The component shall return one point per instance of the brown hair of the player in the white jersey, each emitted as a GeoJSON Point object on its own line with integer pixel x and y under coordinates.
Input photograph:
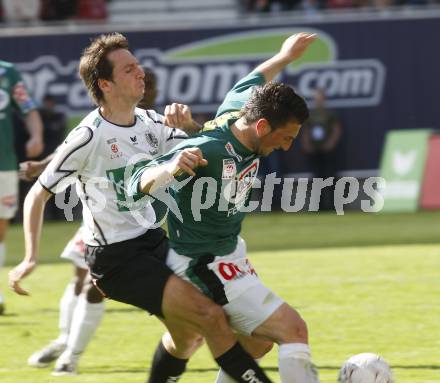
{"type": "Point", "coordinates": [95, 65]}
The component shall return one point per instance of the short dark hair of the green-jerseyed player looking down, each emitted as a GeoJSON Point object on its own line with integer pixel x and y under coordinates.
{"type": "Point", "coordinates": [277, 103]}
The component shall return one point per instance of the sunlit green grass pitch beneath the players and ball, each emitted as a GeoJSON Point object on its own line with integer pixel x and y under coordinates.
{"type": "Point", "coordinates": [364, 283]}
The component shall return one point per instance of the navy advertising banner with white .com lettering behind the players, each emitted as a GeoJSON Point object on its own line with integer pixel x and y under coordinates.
{"type": "Point", "coordinates": [372, 82]}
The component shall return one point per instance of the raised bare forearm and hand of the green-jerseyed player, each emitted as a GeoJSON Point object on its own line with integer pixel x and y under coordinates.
{"type": "Point", "coordinates": [292, 48]}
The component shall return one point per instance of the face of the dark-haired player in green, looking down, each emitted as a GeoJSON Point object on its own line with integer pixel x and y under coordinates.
{"type": "Point", "coordinates": [281, 138]}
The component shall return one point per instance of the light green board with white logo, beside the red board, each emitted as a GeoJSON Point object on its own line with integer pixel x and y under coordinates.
{"type": "Point", "coordinates": [402, 167]}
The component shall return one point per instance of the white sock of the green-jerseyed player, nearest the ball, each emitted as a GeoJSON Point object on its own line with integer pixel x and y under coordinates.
{"type": "Point", "coordinates": [294, 363]}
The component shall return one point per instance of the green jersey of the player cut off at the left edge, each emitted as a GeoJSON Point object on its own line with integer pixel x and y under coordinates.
{"type": "Point", "coordinates": [13, 96]}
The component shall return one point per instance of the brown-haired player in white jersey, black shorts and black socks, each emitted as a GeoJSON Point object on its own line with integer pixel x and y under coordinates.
{"type": "Point", "coordinates": [126, 258]}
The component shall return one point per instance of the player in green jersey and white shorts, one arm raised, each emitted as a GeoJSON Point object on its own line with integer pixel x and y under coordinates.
{"type": "Point", "coordinates": [216, 171]}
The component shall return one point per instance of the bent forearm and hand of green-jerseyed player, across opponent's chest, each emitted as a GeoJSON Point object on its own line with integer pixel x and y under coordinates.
{"type": "Point", "coordinates": [155, 177]}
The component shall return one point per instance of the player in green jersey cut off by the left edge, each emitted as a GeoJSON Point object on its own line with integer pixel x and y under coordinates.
{"type": "Point", "coordinates": [14, 97]}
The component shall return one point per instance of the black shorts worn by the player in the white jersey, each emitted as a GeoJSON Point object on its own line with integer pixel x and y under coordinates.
{"type": "Point", "coordinates": [132, 271]}
